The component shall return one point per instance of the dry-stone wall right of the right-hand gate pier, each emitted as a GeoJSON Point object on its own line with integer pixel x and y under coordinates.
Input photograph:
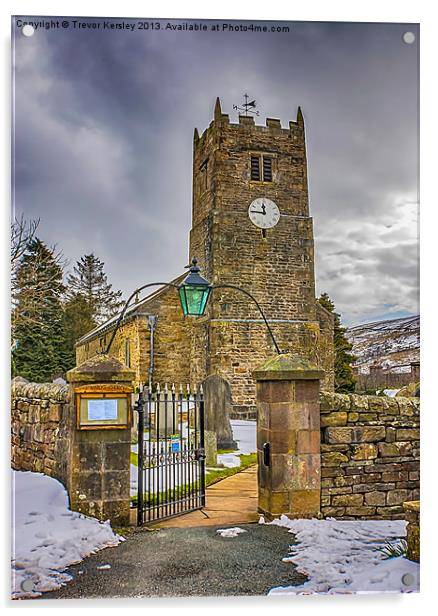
{"type": "Point", "coordinates": [370, 455]}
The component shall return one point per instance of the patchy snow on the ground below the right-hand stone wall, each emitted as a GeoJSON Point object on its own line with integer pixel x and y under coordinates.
{"type": "Point", "coordinates": [340, 556]}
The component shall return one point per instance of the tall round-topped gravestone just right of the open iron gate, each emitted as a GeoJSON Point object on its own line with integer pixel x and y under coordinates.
{"type": "Point", "coordinates": [218, 404]}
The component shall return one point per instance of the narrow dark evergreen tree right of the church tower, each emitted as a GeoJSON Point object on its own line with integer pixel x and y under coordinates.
{"type": "Point", "coordinates": [344, 378]}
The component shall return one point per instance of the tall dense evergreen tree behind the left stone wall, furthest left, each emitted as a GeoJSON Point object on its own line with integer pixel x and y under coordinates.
{"type": "Point", "coordinates": [39, 351]}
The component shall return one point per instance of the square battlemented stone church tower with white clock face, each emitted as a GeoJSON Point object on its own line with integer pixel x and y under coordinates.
{"type": "Point", "coordinates": [233, 166]}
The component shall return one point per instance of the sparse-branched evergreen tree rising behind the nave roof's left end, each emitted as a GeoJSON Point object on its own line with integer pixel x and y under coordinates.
{"type": "Point", "coordinates": [89, 281]}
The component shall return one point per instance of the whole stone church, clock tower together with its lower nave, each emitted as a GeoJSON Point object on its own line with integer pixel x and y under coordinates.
{"type": "Point", "coordinates": [251, 227]}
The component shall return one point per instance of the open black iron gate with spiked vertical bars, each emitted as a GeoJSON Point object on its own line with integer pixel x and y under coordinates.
{"type": "Point", "coordinates": [171, 454]}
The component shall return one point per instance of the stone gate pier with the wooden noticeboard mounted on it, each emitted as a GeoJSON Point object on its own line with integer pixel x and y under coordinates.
{"type": "Point", "coordinates": [99, 477]}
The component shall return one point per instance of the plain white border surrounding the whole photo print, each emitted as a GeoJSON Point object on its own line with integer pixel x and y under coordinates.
{"type": "Point", "coordinates": [323, 10]}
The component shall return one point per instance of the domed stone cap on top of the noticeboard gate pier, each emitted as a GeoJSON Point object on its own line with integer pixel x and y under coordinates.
{"type": "Point", "coordinates": [100, 369]}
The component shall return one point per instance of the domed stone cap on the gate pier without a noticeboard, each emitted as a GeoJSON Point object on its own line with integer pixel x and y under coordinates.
{"type": "Point", "coordinates": [288, 367]}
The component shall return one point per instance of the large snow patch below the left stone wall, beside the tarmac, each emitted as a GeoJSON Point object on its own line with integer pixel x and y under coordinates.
{"type": "Point", "coordinates": [47, 537]}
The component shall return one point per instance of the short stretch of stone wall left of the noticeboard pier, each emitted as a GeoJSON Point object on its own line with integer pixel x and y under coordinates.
{"type": "Point", "coordinates": [39, 414]}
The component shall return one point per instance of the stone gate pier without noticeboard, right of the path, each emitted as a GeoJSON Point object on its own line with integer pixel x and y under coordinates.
{"type": "Point", "coordinates": [288, 436]}
